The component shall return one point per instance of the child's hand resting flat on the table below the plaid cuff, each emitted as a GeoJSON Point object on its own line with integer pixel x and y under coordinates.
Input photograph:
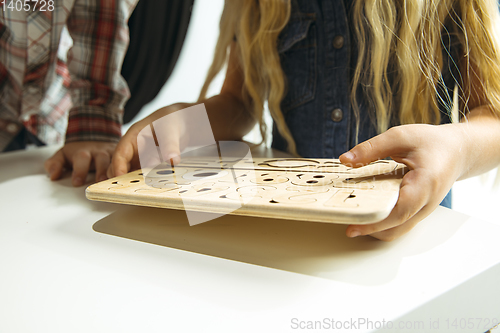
{"type": "Point", "coordinates": [82, 157]}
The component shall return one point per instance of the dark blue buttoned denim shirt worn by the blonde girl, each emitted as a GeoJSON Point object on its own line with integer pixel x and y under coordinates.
{"type": "Point", "coordinates": [317, 57]}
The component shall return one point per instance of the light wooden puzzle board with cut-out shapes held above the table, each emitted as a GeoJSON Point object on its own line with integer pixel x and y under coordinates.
{"type": "Point", "coordinates": [320, 190]}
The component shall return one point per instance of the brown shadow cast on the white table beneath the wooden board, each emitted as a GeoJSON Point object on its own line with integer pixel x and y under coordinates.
{"type": "Point", "coordinates": [315, 249]}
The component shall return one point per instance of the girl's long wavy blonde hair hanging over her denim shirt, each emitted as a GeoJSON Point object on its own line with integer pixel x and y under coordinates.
{"type": "Point", "coordinates": [400, 56]}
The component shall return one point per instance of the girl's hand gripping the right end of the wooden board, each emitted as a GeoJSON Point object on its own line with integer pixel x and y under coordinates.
{"type": "Point", "coordinates": [432, 153]}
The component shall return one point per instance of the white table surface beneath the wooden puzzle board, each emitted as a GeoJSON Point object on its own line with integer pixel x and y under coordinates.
{"type": "Point", "coordinates": [230, 275]}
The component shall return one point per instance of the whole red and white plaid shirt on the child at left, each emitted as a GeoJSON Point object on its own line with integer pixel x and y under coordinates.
{"type": "Point", "coordinates": [60, 61]}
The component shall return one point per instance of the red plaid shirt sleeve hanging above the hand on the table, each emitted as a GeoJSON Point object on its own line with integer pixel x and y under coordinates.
{"type": "Point", "coordinates": [100, 38]}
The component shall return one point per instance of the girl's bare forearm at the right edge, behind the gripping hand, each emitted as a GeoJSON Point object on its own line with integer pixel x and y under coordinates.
{"type": "Point", "coordinates": [480, 142]}
